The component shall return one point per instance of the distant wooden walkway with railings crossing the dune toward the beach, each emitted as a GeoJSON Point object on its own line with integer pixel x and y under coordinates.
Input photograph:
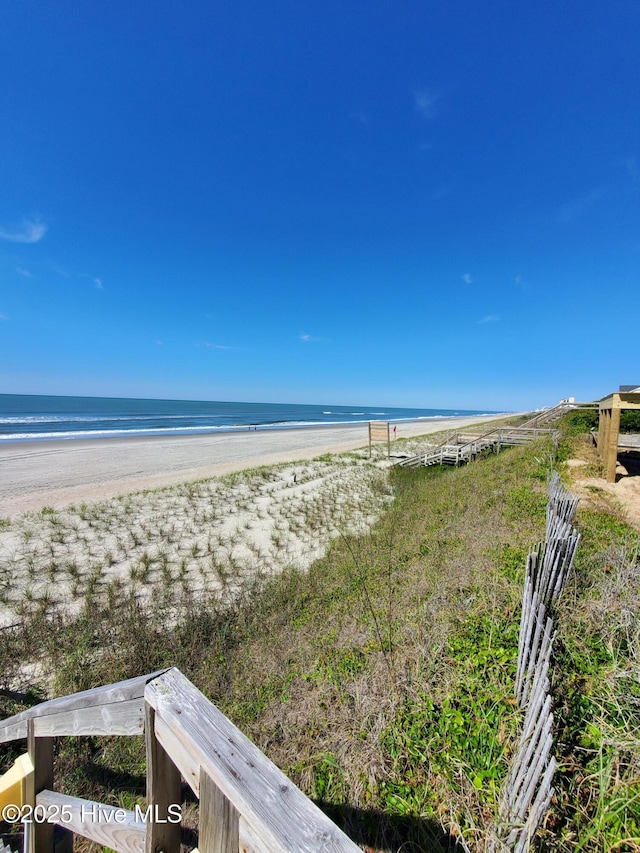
{"type": "Point", "coordinates": [464, 447]}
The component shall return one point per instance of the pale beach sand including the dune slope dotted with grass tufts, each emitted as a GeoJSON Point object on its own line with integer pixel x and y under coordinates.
{"type": "Point", "coordinates": [84, 522]}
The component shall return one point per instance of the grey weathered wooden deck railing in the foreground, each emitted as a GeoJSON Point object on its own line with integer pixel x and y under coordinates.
{"type": "Point", "coordinates": [246, 803]}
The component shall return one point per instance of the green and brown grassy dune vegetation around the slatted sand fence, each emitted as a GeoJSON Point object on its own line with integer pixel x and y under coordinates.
{"type": "Point", "coordinates": [381, 679]}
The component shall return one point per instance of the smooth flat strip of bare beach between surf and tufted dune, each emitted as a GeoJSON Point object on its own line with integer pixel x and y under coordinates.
{"type": "Point", "coordinates": [58, 472]}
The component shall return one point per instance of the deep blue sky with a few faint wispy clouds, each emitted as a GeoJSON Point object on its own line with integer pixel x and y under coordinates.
{"type": "Point", "coordinates": [416, 203]}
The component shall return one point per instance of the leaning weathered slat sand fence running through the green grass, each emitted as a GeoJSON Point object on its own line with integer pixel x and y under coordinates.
{"type": "Point", "coordinates": [527, 792]}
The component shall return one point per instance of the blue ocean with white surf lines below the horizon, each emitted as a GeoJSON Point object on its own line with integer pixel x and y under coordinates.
{"type": "Point", "coordinates": [35, 417]}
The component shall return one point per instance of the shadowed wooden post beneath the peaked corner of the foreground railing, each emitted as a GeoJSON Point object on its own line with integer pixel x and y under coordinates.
{"type": "Point", "coordinates": [163, 790]}
